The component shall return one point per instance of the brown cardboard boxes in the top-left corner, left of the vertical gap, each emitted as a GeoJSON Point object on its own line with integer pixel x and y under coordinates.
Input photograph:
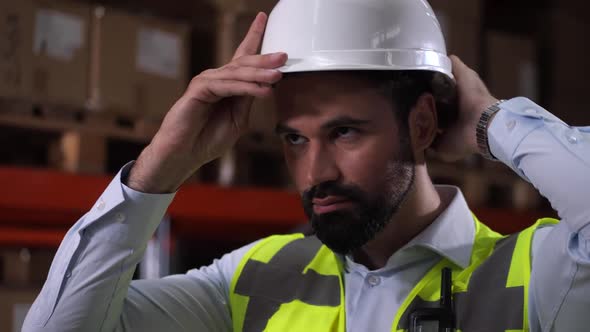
{"type": "Point", "coordinates": [45, 52]}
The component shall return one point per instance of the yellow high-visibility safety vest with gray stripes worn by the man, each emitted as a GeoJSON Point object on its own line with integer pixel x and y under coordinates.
{"type": "Point", "coordinates": [294, 283]}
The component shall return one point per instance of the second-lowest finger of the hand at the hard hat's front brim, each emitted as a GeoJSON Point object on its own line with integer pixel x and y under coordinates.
{"type": "Point", "coordinates": [246, 74]}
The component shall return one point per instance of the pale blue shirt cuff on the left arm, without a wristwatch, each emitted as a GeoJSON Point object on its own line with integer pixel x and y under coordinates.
{"type": "Point", "coordinates": [124, 216]}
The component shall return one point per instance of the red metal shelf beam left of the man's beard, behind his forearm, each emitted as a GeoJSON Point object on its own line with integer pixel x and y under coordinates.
{"type": "Point", "coordinates": [46, 197]}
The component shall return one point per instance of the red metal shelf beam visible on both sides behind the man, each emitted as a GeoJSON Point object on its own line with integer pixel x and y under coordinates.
{"type": "Point", "coordinates": [38, 206]}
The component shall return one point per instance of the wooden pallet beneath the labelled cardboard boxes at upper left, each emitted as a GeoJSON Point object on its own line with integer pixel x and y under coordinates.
{"type": "Point", "coordinates": [79, 138]}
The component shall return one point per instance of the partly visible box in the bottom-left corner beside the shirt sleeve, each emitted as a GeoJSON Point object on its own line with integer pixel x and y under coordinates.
{"type": "Point", "coordinates": [14, 305]}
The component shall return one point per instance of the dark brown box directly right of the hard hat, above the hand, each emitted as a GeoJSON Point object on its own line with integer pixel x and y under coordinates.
{"type": "Point", "coordinates": [460, 22]}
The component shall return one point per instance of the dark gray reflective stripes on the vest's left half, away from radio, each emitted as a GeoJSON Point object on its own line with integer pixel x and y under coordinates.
{"type": "Point", "coordinates": [281, 280]}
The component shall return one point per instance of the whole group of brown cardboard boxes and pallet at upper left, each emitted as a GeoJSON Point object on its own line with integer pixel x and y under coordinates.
{"type": "Point", "coordinates": [87, 63]}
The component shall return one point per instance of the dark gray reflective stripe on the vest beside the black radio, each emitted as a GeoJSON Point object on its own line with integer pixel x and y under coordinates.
{"type": "Point", "coordinates": [488, 305]}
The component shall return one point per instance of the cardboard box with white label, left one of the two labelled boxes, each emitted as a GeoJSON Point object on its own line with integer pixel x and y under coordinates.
{"type": "Point", "coordinates": [60, 53]}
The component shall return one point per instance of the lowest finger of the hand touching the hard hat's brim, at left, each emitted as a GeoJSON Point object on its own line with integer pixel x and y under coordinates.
{"type": "Point", "coordinates": [215, 90]}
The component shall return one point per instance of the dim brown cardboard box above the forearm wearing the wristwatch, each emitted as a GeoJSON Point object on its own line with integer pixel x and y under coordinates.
{"type": "Point", "coordinates": [512, 66]}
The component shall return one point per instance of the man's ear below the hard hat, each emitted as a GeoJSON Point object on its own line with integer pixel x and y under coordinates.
{"type": "Point", "coordinates": [423, 123]}
